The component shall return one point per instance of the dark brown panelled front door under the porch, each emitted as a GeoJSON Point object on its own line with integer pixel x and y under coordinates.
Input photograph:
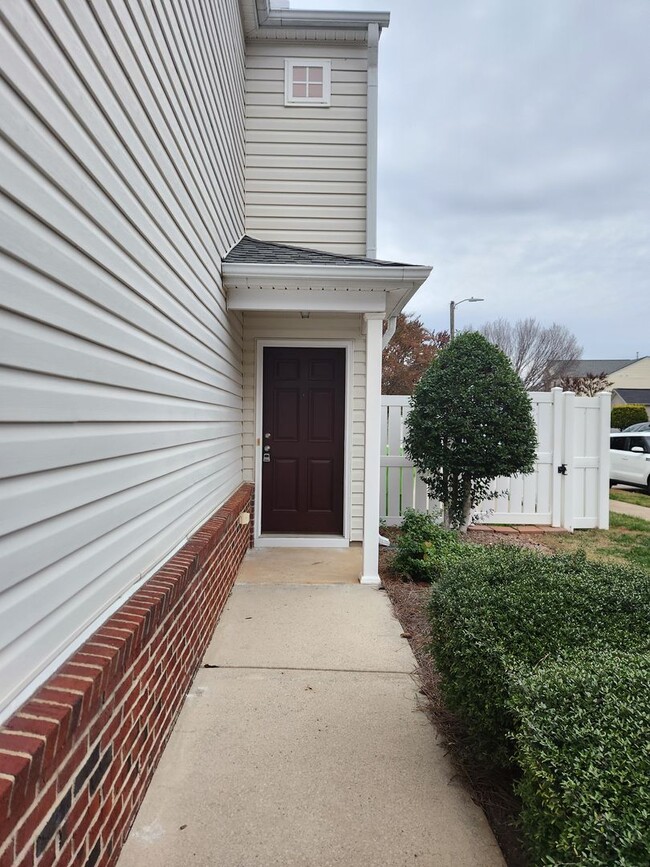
{"type": "Point", "coordinates": [303, 423]}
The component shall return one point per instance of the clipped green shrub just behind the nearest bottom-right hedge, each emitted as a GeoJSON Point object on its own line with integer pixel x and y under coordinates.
{"type": "Point", "coordinates": [498, 612]}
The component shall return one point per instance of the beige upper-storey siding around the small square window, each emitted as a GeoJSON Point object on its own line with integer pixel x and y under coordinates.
{"type": "Point", "coordinates": [306, 165]}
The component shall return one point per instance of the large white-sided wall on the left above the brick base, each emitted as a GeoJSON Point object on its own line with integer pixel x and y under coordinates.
{"type": "Point", "coordinates": [120, 417]}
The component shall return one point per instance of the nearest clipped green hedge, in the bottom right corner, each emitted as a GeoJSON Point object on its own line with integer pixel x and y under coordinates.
{"type": "Point", "coordinates": [583, 744]}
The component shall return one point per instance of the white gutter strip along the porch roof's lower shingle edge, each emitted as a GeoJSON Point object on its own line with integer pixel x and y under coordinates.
{"type": "Point", "coordinates": [387, 278]}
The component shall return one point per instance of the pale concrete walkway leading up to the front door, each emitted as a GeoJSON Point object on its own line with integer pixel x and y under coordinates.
{"type": "Point", "coordinates": [302, 744]}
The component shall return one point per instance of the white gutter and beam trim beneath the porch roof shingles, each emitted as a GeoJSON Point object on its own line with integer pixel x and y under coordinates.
{"type": "Point", "coordinates": [312, 288]}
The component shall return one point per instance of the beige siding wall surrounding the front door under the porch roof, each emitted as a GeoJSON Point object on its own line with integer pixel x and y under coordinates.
{"type": "Point", "coordinates": [292, 327]}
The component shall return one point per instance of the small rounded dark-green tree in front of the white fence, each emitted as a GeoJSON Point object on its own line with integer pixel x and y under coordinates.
{"type": "Point", "coordinates": [470, 421]}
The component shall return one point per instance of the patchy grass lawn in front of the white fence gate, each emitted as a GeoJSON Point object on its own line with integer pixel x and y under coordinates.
{"type": "Point", "coordinates": [627, 541]}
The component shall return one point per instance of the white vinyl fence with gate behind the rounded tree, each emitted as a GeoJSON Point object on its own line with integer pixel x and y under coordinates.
{"type": "Point", "coordinates": [568, 488]}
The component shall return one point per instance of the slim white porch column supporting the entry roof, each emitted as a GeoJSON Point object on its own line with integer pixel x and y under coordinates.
{"type": "Point", "coordinates": [370, 569]}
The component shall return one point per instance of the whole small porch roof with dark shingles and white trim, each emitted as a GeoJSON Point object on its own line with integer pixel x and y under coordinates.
{"type": "Point", "coordinates": [263, 275]}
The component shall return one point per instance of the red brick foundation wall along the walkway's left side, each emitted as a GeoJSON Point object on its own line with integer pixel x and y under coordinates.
{"type": "Point", "coordinates": [76, 759]}
